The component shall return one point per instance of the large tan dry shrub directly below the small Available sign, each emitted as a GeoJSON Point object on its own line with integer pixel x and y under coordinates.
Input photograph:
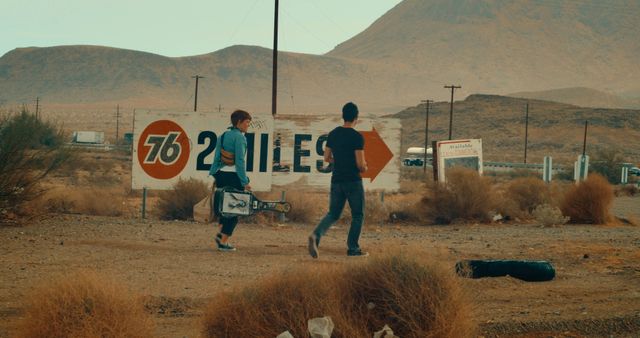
{"type": "Point", "coordinates": [465, 196]}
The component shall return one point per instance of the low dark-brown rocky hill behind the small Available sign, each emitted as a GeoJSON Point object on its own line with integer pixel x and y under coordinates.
{"type": "Point", "coordinates": [555, 129]}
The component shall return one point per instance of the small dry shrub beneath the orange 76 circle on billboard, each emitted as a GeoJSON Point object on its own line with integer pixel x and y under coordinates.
{"type": "Point", "coordinates": [178, 202]}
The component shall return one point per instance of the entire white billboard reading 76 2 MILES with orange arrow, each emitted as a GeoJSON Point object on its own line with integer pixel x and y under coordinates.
{"type": "Point", "coordinates": [286, 152]}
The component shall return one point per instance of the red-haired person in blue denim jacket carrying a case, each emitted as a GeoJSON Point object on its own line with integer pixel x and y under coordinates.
{"type": "Point", "coordinates": [229, 170]}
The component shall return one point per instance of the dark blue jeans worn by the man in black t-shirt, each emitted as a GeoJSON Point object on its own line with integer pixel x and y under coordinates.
{"type": "Point", "coordinates": [353, 192]}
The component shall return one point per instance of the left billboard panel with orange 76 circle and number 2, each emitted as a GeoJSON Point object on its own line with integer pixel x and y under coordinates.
{"type": "Point", "coordinates": [170, 146]}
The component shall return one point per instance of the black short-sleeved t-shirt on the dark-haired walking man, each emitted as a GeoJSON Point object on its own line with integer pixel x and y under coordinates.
{"type": "Point", "coordinates": [343, 143]}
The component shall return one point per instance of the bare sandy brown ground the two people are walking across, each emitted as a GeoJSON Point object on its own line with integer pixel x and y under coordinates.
{"type": "Point", "coordinates": [596, 291]}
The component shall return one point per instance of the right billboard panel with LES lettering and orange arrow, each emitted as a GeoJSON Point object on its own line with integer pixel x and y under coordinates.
{"type": "Point", "coordinates": [299, 151]}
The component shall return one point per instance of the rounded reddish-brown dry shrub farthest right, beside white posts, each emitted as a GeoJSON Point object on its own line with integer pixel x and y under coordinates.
{"type": "Point", "coordinates": [589, 201]}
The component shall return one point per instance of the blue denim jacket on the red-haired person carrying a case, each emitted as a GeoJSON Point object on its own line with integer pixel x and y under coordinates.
{"type": "Point", "coordinates": [235, 142]}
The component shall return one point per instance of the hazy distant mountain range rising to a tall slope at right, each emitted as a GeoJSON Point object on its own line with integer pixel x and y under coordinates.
{"type": "Point", "coordinates": [408, 54]}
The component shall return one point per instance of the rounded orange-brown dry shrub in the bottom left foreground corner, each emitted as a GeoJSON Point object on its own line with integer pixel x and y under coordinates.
{"type": "Point", "coordinates": [84, 304]}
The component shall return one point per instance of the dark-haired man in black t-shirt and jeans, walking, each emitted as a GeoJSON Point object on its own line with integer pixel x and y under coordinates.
{"type": "Point", "coordinates": [345, 151]}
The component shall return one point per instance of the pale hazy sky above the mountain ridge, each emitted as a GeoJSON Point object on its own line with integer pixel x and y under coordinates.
{"type": "Point", "coordinates": [186, 27]}
